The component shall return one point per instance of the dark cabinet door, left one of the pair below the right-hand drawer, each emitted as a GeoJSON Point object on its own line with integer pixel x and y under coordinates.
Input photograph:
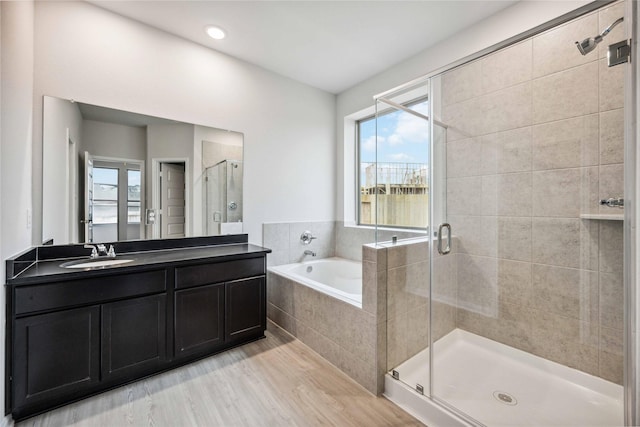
{"type": "Point", "coordinates": [199, 320]}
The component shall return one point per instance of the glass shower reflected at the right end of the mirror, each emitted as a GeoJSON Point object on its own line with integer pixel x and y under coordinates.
{"type": "Point", "coordinates": [223, 203]}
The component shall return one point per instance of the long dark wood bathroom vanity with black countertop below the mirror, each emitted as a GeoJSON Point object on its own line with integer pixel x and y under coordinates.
{"type": "Point", "coordinates": [75, 332]}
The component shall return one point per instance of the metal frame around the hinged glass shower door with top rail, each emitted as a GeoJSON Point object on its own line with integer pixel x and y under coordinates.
{"type": "Point", "coordinates": [631, 379]}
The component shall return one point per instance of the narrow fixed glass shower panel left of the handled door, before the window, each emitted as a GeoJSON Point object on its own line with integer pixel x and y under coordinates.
{"type": "Point", "coordinates": [397, 185]}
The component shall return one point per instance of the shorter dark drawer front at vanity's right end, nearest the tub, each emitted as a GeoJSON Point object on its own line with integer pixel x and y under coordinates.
{"type": "Point", "coordinates": [204, 274]}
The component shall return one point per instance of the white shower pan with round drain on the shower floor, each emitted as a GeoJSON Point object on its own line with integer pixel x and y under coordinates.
{"type": "Point", "coordinates": [498, 385]}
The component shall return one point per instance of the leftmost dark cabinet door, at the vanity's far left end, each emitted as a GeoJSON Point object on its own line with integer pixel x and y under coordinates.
{"type": "Point", "coordinates": [56, 356]}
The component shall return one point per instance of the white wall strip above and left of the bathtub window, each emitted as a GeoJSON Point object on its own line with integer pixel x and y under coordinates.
{"type": "Point", "coordinates": [509, 22]}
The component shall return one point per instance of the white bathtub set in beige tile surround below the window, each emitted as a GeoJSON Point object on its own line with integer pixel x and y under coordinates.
{"type": "Point", "coordinates": [338, 277]}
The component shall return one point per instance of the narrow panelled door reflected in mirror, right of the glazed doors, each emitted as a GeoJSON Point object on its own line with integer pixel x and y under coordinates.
{"type": "Point", "coordinates": [172, 200]}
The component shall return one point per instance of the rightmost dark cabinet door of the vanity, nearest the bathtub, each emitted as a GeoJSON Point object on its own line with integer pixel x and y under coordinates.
{"type": "Point", "coordinates": [246, 314]}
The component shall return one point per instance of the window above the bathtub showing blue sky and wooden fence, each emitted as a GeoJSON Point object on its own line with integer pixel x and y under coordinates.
{"type": "Point", "coordinates": [393, 188]}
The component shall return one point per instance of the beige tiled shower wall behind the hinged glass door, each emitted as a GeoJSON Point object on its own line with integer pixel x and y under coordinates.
{"type": "Point", "coordinates": [535, 139]}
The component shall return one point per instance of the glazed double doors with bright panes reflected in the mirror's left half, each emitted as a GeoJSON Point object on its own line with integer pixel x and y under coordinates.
{"type": "Point", "coordinates": [113, 202]}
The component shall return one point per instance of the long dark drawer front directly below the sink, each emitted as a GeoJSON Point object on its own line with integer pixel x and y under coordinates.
{"type": "Point", "coordinates": [88, 291]}
